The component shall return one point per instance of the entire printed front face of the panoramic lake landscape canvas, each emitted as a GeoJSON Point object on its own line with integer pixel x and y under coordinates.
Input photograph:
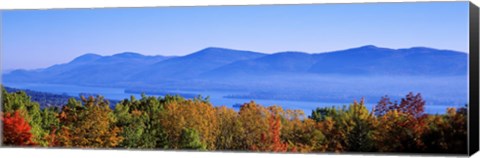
{"type": "Point", "coordinates": [319, 78]}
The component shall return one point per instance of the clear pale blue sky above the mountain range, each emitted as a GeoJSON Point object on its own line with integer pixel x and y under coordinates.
{"type": "Point", "coordinates": [40, 38]}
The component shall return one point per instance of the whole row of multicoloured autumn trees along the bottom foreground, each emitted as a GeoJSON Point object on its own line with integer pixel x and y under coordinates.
{"type": "Point", "coordinates": [176, 123]}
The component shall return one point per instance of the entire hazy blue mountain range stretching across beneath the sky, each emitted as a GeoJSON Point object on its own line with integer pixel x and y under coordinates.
{"type": "Point", "coordinates": [214, 63]}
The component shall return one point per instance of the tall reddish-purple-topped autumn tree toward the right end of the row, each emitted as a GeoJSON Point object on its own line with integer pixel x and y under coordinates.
{"type": "Point", "coordinates": [404, 123]}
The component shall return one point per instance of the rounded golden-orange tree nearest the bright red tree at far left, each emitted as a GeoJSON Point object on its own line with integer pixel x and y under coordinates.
{"type": "Point", "coordinates": [88, 125]}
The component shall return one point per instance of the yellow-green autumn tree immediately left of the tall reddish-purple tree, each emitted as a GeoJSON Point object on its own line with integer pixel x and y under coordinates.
{"type": "Point", "coordinates": [347, 129]}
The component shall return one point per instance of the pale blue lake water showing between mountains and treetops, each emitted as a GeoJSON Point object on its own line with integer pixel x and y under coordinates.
{"type": "Point", "coordinates": [216, 97]}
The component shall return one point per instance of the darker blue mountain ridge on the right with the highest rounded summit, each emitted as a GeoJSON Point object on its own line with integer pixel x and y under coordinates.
{"type": "Point", "coordinates": [366, 60]}
